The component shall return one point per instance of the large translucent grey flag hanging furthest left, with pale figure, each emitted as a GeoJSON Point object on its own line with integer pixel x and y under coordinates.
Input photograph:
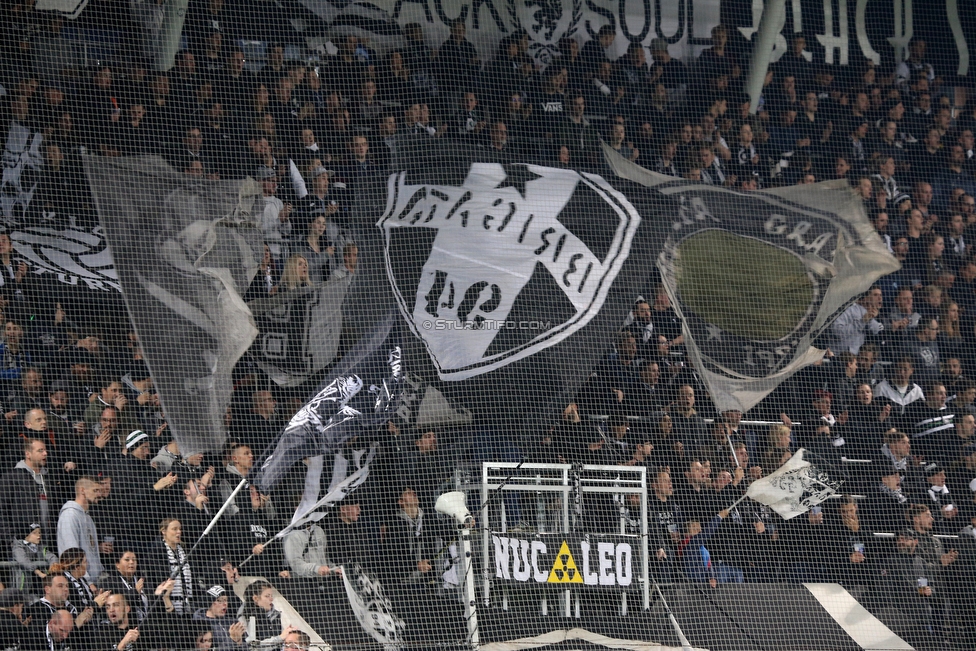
{"type": "Point", "coordinates": [185, 250]}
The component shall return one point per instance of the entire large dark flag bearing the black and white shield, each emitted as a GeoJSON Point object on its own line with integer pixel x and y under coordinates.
{"type": "Point", "coordinates": [512, 277]}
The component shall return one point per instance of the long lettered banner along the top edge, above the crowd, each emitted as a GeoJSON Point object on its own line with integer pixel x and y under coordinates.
{"type": "Point", "coordinates": [838, 32]}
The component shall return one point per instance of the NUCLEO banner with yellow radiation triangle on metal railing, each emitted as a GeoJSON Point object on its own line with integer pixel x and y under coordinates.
{"type": "Point", "coordinates": [565, 561]}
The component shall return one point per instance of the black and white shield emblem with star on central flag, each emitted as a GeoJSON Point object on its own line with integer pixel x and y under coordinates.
{"type": "Point", "coordinates": [512, 261]}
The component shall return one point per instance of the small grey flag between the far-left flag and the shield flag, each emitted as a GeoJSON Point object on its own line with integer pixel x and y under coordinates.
{"type": "Point", "coordinates": [299, 330]}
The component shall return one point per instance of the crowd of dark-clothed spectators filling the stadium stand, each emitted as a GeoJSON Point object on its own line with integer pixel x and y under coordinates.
{"type": "Point", "coordinates": [99, 506]}
